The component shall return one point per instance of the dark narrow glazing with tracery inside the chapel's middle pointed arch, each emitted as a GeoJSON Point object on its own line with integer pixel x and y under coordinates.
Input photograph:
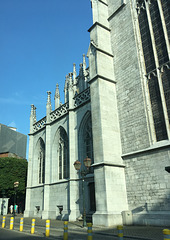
{"type": "Point", "coordinates": [63, 157]}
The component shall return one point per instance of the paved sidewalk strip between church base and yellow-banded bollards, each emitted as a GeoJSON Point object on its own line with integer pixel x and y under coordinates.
{"type": "Point", "coordinates": [130, 232]}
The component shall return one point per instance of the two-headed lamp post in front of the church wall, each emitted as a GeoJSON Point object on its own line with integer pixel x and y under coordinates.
{"type": "Point", "coordinates": [77, 165]}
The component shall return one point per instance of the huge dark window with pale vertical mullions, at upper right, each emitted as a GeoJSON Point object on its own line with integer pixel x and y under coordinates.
{"type": "Point", "coordinates": [154, 24]}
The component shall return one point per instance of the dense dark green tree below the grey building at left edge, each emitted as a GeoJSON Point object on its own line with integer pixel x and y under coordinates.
{"type": "Point", "coordinates": [13, 170]}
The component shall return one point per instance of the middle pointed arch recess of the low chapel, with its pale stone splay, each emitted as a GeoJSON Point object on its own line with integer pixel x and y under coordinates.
{"type": "Point", "coordinates": [60, 155]}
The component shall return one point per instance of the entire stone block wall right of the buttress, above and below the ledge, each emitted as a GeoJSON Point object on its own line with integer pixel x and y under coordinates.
{"type": "Point", "coordinates": [148, 190]}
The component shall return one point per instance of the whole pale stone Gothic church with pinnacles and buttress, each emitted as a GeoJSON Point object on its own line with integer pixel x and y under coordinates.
{"type": "Point", "coordinates": [117, 113]}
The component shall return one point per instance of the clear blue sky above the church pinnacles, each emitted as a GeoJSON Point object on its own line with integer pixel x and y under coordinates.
{"type": "Point", "coordinates": [39, 42]}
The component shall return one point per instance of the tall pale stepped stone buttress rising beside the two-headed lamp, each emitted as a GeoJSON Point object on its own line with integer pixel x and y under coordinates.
{"type": "Point", "coordinates": [110, 187]}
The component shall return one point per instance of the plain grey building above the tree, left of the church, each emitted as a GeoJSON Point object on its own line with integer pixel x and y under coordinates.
{"type": "Point", "coordinates": [12, 143]}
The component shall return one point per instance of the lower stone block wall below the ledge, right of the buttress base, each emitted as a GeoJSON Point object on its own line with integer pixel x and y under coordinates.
{"type": "Point", "coordinates": [148, 187]}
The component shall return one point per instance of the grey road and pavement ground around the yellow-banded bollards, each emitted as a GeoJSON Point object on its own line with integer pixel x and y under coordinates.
{"type": "Point", "coordinates": [75, 231]}
